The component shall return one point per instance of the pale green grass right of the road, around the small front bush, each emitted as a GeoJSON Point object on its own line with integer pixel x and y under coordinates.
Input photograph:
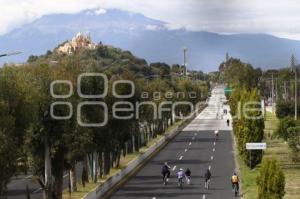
{"type": "Point", "coordinates": [278, 149]}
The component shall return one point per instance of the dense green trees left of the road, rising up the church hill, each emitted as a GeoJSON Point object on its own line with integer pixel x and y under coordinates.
{"type": "Point", "coordinates": [32, 140]}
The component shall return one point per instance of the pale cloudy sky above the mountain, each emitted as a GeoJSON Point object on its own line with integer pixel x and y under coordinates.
{"type": "Point", "coordinates": [277, 17]}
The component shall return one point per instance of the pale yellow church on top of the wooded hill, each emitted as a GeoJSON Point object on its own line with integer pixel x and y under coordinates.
{"type": "Point", "coordinates": [78, 42]}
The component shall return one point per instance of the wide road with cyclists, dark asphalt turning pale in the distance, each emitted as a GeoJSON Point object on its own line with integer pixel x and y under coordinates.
{"type": "Point", "coordinates": [193, 148]}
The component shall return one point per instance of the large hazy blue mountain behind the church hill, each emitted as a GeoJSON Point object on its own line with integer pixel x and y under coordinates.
{"type": "Point", "coordinates": [147, 38]}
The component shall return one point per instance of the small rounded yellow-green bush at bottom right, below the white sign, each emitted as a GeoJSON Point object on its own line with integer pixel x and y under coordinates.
{"type": "Point", "coordinates": [271, 180]}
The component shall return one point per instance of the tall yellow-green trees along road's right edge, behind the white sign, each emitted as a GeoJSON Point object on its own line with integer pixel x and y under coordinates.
{"type": "Point", "coordinates": [248, 122]}
